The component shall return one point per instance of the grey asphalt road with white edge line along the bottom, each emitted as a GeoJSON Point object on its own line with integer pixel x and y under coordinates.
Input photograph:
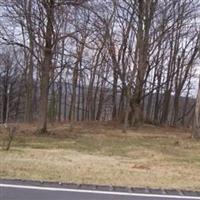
{"type": "Point", "coordinates": [18, 191]}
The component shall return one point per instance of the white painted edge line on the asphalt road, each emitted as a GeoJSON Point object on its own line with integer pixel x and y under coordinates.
{"type": "Point", "coordinates": [96, 192]}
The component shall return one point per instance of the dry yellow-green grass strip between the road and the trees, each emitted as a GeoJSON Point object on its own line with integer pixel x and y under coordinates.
{"type": "Point", "coordinates": [102, 154]}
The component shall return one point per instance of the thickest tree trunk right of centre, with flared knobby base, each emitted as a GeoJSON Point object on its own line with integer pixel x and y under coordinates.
{"type": "Point", "coordinates": [146, 9]}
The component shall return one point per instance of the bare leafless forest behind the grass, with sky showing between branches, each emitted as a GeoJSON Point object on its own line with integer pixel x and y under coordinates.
{"type": "Point", "coordinates": [128, 61]}
